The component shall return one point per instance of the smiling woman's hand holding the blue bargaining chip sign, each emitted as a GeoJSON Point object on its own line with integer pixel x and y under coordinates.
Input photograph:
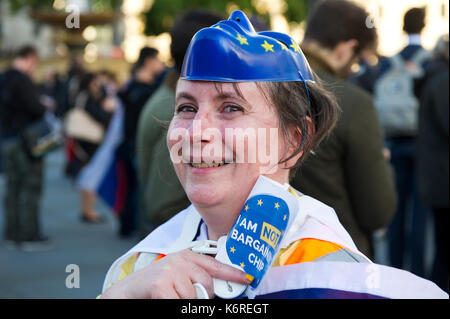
{"type": "Point", "coordinates": [173, 277]}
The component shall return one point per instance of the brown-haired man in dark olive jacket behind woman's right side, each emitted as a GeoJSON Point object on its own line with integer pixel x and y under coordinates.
{"type": "Point", "coordinates": [348, 170]}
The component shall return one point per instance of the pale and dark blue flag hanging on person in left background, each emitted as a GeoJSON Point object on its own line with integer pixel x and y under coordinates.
{"type": "Point", "coordinates": [105, 174]}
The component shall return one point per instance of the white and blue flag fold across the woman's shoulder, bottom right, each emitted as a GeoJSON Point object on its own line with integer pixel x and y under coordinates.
{"type": "Point", "coordinates": [345, 280]}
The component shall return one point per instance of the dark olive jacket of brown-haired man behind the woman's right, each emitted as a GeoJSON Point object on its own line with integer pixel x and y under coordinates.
{"type": "Point", "coordinates": [348, 171]}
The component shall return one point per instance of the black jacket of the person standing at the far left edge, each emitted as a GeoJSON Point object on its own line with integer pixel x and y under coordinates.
{"type": "Point", "coordinates": [20, 104]}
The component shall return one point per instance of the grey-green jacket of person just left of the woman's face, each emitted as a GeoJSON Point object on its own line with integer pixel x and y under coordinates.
{"type": "Point", "coordinates": [162, 195]}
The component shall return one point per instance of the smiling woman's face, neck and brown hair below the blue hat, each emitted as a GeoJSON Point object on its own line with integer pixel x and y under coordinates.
{"type": "Point", "coordinates": [239, 114]}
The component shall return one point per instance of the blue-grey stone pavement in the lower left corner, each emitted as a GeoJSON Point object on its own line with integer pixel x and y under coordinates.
{"type": "Point", "coordinates": [92, 247]}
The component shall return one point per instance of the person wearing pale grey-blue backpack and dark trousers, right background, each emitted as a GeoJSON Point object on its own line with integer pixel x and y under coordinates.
{"type": "Point", "coordinates": [396, 94]}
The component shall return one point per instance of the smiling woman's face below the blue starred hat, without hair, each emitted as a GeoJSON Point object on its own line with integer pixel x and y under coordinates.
{"type": "Point", "coordinates": [221, 142]}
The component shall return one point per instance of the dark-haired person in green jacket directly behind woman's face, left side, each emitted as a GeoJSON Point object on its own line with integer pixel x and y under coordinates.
{"type": "Point", "coordinates": [161, 194]}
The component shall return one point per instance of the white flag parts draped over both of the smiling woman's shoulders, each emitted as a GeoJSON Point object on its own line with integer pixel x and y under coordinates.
{"type": "Point", "coordinates": [332, 278]}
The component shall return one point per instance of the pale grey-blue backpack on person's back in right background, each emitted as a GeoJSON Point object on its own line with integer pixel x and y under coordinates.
{"type": "Point", "coordinates": [394, 97]}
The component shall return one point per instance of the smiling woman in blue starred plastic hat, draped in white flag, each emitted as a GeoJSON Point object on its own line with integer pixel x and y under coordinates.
{"type": "Point", "coordinates": [241, 93]}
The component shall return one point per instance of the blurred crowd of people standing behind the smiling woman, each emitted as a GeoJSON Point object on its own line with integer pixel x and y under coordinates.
{"type": "Point", "coordinates": [384, 168]}
